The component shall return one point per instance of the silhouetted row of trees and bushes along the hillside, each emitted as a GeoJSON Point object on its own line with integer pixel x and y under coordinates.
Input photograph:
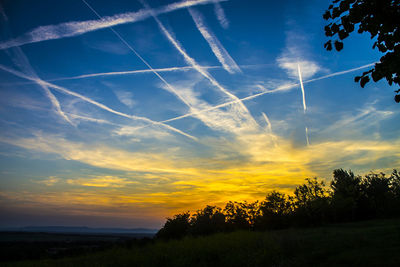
{"type": "Point", "coordinates": [348, 198]}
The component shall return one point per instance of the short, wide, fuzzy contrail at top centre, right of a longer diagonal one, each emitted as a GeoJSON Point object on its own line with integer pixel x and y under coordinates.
{"type": "Point", "coordinates": [219, 51]}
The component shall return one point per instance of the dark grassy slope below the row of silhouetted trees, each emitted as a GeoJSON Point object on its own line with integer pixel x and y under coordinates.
{"type": "Point", "coordinates": [371, 243]}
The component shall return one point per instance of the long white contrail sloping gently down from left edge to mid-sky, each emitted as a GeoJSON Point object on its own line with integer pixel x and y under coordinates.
{"type": "Point", "coordinates": [93, 102]}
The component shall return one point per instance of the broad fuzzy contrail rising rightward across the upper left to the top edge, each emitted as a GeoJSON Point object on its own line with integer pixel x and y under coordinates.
{"type": "Point", "coordinates": [75, 28]}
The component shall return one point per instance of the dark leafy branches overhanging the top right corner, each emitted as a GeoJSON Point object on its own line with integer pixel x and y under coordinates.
{"type": "Point", "coordinates": [378, 17]}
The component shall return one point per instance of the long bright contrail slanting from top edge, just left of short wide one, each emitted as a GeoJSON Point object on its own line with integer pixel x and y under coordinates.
{"type": "Point", "coordinates": [196, 66]}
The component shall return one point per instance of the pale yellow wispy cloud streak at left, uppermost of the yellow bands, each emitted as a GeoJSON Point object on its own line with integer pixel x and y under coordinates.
{"type": "Point", "coordinates": [102, 156]}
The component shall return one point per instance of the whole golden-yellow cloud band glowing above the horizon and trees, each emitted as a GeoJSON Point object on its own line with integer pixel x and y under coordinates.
{"type": "Point", "coordinates": [169, 181]}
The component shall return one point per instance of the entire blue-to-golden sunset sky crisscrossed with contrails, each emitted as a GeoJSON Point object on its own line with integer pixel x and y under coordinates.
{"type": "Point", "coordinates": [122, 114]}
